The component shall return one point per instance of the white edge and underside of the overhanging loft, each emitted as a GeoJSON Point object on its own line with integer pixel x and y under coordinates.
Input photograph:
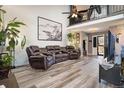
{"type": "Point", "coordinates": [97, 26]}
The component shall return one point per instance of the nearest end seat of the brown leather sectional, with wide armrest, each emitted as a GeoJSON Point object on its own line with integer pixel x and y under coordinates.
{"type": "Point", "coordinates": [38, 60]}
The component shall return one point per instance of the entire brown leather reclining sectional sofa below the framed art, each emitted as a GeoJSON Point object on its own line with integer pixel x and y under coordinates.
{"type": "Point", "coordinates": [43, 58]}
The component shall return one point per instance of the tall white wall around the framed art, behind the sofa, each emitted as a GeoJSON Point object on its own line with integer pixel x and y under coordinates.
{"type": "Point", "coordinates": [29, 14]}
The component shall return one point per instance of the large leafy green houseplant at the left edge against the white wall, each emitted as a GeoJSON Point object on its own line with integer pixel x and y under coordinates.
{"type": "Point", "coordinates": [9, 37]}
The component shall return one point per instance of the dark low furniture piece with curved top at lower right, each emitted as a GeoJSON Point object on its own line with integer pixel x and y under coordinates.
{"type": "Point", "coordinates": [112, 75]}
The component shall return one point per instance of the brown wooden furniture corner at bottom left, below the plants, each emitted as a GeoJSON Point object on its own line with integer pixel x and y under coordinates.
{"type": "Point", "coordinates": [9, 82]}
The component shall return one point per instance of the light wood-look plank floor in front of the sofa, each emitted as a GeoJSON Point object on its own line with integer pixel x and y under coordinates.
{"type": "Point", "coordinates": [81, 73]}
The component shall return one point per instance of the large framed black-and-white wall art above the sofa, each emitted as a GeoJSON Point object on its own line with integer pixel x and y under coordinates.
{"type": "Point", "coordinates": [49, 30]}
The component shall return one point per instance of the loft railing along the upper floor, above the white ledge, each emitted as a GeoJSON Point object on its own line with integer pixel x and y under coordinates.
{"type": "Point", "coordinates": [106, 11]}
